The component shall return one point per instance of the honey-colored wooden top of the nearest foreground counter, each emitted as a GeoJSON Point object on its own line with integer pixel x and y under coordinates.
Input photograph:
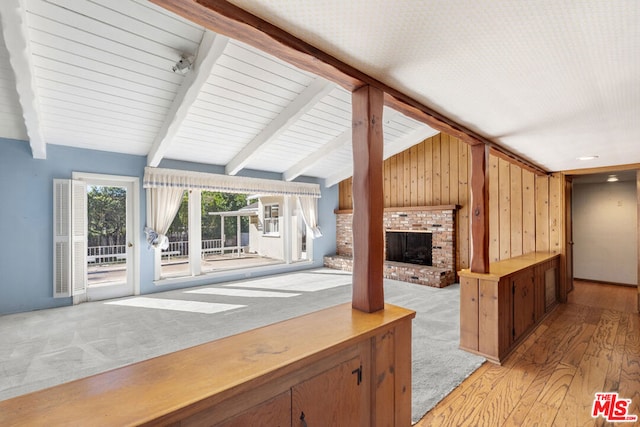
{"type": "Point", "coordinates": [152, 389]}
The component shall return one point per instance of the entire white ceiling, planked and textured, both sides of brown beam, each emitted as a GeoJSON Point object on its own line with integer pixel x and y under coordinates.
{"type": "Point", "coordinates": [551, 80]}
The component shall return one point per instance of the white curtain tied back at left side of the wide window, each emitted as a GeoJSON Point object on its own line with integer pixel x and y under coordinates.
{"type": "Point", "coordinates": [164, 203]}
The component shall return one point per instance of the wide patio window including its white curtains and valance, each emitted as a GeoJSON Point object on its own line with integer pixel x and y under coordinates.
{"type": "Point", "coordinates": [254, 223]}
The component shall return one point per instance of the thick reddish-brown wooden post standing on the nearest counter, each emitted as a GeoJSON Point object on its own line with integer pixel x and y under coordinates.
{"type": "Point", "coordinates": [368, 200]}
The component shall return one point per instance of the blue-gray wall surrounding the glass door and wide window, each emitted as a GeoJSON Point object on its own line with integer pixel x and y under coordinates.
{"type": "Point", "coordinates": [26, 224]}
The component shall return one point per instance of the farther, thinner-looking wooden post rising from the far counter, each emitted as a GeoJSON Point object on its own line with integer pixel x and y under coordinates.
{"type": "Point", "coordinates": [479, 209]}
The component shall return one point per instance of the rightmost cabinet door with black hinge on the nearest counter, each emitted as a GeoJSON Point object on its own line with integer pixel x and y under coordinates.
{"type": "Point", "coordinates": [332, 398]}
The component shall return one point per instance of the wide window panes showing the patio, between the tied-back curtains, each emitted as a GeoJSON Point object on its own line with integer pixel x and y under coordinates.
{"type": "Point", "coordinates": [214, 232]}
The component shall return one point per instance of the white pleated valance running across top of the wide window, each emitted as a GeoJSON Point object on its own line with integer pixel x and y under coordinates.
{"type": "Point", "coordinates": [188, 180]}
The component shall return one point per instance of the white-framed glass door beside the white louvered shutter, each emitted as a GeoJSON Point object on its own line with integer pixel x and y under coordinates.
{"type": "Point", "coordinates": [112, 234]}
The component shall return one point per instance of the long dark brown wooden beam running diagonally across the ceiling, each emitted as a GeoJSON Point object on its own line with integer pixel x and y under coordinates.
{"type": "Point", "coordinates": [232, 21]}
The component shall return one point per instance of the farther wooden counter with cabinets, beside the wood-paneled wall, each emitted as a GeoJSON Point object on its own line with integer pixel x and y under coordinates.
{"type": "Point", "coordinates": [498, 309]}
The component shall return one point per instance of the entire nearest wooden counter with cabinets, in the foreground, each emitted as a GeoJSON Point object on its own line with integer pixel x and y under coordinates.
{"type": "Point", "coordinates": [321, 364]}
